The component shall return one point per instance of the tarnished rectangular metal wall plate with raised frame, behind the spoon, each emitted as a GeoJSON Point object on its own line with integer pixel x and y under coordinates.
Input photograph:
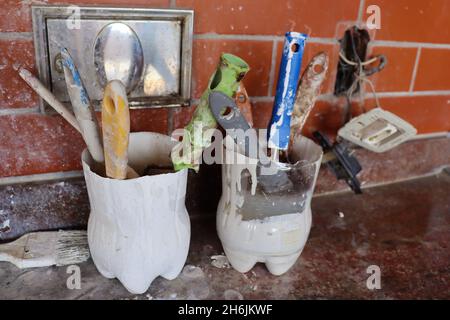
{"type": "Point", "coordinates": [162, 58]}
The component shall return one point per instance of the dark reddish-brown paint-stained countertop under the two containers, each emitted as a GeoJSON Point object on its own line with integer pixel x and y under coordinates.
{"type": "Point", "coordinates": [402, 228]}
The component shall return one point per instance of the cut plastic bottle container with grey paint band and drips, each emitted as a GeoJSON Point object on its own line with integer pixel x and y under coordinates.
{"type": "Point", "coordinates": [254, 226]}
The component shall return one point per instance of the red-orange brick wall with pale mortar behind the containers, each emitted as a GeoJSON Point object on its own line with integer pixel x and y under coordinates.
{"type": "Point", "coordinates": [414, 35]}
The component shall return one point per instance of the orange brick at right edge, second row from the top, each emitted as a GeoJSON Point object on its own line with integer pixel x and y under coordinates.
{"type": "Point", "coordinates": [433, 71]}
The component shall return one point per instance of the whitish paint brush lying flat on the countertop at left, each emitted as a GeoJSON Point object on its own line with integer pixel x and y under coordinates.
{"type": "Point", "coordinates": [43, 249]}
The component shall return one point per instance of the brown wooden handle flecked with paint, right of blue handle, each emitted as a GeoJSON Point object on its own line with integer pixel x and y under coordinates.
{"type": "Point", "coordinates": [307, 93]}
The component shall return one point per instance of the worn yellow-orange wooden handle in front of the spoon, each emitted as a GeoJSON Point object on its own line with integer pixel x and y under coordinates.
{"type": "Point", "coordinates": [116, 129]}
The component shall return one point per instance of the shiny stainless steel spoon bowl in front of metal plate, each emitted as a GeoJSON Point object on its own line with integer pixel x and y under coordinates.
{"type": "Point", "coordinates": [118, 55]}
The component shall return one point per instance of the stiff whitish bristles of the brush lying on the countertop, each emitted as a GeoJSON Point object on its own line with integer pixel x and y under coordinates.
{"type": "Point", "coordinates": [71, 247]}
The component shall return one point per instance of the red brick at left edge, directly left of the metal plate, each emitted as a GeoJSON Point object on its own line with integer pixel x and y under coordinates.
{"type": "Point", "coordinates": [14, 92]}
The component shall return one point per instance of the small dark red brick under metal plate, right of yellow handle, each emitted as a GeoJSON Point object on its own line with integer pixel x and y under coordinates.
{"type": "Point", "coordinates": [153, 120]}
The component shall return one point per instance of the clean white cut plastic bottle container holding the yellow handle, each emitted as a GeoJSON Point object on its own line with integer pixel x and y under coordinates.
{"type": "Point", "coordinates": [139, 229]}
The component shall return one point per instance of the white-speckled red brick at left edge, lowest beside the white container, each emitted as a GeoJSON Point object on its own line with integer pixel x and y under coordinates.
{"type": "Point", "coordinates": [35, 143]}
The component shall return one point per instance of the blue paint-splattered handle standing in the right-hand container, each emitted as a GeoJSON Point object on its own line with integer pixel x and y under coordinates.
{"type": "Point", "coordinates": [291, 62]}
